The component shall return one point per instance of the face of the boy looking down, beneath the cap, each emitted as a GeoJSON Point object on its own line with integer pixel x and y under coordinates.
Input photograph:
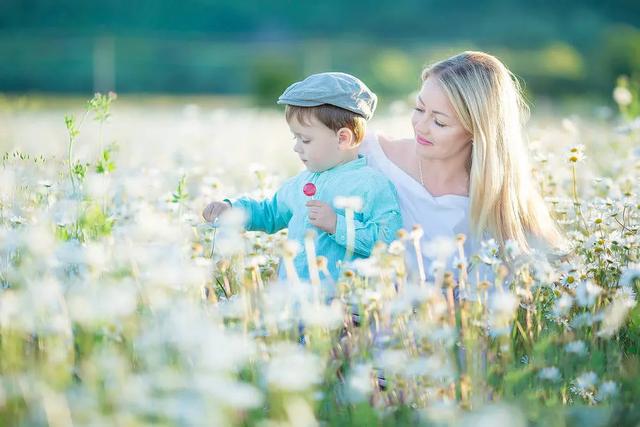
{"type": "Point", "coordinates": [317, 146]}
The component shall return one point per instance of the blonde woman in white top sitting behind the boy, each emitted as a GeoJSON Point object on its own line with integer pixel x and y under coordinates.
{"type": "Point", "coordinates": [466, 168]}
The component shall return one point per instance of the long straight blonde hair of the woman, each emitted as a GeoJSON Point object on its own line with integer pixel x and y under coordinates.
{"type": "Point", "coordinates": [503, 199]}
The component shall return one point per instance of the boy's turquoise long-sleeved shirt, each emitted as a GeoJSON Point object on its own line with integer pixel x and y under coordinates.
{"type": "Point", "coordinates": [379, 219]}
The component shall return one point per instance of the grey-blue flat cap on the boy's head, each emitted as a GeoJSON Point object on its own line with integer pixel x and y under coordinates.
{"type": "Point", "coordinates": [339, 89]}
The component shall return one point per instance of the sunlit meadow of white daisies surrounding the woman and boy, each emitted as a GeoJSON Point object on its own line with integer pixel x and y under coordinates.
{"type": "Point", "coordinates": [120, 306]}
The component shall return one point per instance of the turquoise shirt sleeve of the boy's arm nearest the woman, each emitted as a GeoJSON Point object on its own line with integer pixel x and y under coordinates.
{"type": "Point", "coordinates": [381, 221]}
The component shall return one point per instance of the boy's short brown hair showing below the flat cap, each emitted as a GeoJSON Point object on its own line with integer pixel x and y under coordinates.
{"type": "Point", "coordinates": [333, 117]}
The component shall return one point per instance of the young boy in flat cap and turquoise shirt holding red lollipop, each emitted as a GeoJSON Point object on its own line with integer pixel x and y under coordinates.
{"type": "Point", "coordinates": [327, 115]}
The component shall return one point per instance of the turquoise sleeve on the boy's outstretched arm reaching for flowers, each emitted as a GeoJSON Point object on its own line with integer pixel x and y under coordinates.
{"type": "Point", "coordinates": [269, 215]}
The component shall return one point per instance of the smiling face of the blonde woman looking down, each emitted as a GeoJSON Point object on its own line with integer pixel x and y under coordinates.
{"type": "Point", "coordinates": [438, 131]}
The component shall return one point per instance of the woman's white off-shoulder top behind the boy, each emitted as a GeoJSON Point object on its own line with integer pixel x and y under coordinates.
{"type": "Point", "coordinates": [439, 216]}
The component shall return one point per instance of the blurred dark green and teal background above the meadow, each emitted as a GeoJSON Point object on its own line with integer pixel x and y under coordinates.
{"type": "Point", "coordinates": [562, 48]}
